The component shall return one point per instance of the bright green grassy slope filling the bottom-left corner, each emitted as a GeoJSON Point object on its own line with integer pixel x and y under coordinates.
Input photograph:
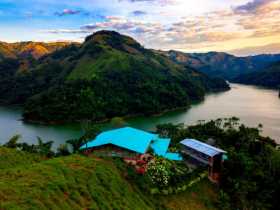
{"type": "Point", "coordinates": [73, 182]}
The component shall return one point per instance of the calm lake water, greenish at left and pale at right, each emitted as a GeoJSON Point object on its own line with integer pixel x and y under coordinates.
{"type": "Point", "coordinates": [251, 104]}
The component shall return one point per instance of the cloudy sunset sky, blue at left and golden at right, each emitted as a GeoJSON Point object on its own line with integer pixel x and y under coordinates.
{"type": "Point", "coordinates": [240, 27]}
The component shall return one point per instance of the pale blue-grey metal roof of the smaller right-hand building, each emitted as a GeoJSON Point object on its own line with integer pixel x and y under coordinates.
{"type": "Point", "coordinates": [202, 147]}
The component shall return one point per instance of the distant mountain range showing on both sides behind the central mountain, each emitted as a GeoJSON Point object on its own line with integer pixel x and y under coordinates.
{"type": "Point", "coordinates": [214, 64]}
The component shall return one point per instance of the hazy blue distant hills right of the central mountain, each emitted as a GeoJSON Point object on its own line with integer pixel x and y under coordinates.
{"type": "Point", "coordinates": [223, 65]}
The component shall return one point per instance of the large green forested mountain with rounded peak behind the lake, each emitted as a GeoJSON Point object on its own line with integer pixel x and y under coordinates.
{"type": "Point", "coordinates": [108, 75]}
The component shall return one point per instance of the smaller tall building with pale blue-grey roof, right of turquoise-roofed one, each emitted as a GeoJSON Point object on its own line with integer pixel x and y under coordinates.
{"type": "Point", "coordinates": [204, 154]}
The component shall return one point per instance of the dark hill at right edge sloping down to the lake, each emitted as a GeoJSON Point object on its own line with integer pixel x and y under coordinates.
{"type": "Point", "coordinates": [269, 77]}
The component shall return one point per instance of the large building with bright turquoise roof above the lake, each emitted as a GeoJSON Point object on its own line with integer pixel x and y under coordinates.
{"type": "Point", "coordinates": [129, 142]}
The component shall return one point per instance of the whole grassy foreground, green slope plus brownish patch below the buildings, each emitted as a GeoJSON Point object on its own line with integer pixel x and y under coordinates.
{"type": "Point", "coordinates": [76, 182]}
